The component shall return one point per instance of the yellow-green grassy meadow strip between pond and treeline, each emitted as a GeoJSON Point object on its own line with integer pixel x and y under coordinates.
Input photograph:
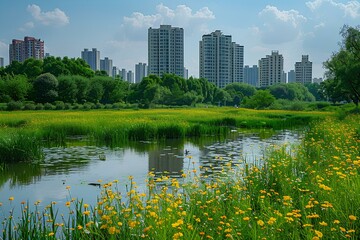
{"type": "Point", "coordinates": [22, 134]}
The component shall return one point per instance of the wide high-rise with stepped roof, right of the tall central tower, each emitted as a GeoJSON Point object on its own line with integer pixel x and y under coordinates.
{"type": "Point", "coordinates": [221, 61]}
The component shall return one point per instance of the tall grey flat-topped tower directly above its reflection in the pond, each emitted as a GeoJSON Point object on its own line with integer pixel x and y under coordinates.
{"type": "Point", "coordinates": [166, 50]}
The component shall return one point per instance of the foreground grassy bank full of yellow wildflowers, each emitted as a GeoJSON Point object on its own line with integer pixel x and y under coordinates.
{"type": "Point", "coordinates": [310, 192]}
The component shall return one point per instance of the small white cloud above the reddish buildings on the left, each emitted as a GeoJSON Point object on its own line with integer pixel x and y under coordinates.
{"type": "Point", "coordinates": [56, 17]}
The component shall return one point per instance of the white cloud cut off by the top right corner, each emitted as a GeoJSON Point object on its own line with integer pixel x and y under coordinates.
{"type": "Point", "coordinates": [351, 8]}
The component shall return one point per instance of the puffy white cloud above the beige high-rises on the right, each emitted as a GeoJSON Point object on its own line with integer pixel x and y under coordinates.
{"type": "Point", "coordinates": [280, 26]}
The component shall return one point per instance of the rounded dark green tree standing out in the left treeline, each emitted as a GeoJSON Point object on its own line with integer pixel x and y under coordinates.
{"type": "Point", "coordinates": [45, 88]}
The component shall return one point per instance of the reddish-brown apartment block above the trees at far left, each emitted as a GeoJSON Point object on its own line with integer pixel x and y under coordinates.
{"type": "Point", "coordinates": [30, 47]}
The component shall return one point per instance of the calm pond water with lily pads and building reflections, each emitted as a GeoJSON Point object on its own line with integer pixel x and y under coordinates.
{"type": "Point", "coordinates": [79, 164]}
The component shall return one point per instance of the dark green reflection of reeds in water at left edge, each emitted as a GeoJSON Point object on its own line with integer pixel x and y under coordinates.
{"type": "Point", "coordinates": [20, 174]}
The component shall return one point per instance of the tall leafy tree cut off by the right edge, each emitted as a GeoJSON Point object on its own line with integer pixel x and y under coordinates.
{"type": "Point", "coordinates": [344, 66]}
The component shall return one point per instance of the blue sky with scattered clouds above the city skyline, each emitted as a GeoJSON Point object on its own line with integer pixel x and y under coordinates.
{"type": "Point", "coordinates": [118, 28]}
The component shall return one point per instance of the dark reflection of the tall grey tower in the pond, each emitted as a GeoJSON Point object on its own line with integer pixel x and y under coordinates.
{"type": "Point", "coordinates": [168, 160]}
